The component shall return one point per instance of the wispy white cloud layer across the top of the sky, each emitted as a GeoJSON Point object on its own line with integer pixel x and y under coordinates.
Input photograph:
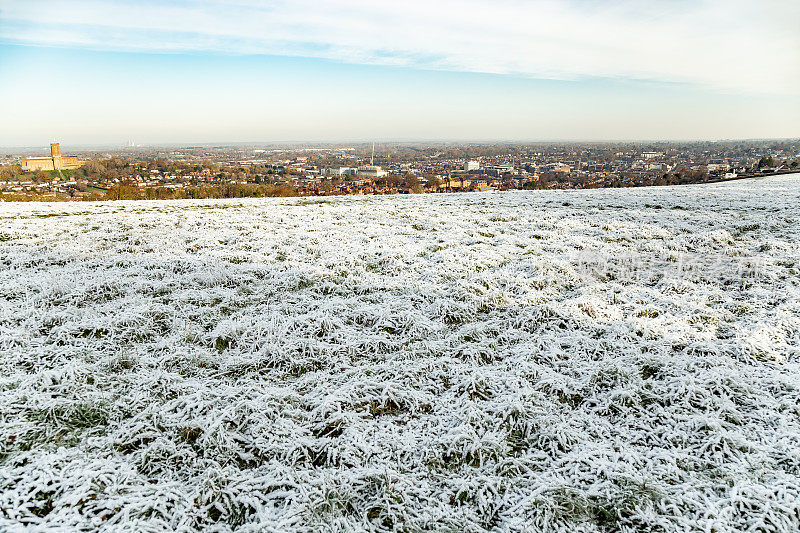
{"type": "Point", "coordinates": [731, 45]}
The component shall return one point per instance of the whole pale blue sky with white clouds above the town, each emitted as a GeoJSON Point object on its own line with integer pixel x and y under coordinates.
{"type": "Point", "coordinates": [161, 72]}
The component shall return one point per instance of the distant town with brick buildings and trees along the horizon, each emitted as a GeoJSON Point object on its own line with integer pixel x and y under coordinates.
{"type": "Point", "coordinates": [141, 172]}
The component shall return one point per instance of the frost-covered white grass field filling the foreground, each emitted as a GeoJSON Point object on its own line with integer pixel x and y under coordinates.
{"type": "Point", "coordinates": [525, 361]}
